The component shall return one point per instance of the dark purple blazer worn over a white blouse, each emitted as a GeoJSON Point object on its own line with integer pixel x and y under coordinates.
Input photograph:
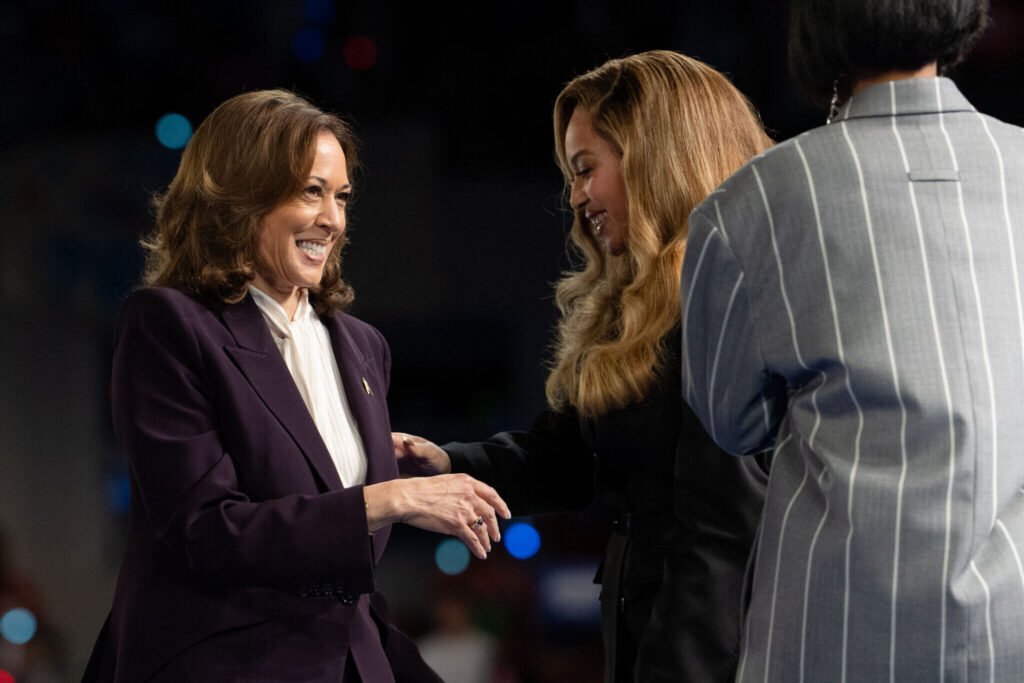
{"type": "Point", "coordinates": [247, 560]}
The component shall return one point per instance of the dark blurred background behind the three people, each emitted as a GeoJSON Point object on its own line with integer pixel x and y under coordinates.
{"type": "Point", "coordinates": [458, 232]}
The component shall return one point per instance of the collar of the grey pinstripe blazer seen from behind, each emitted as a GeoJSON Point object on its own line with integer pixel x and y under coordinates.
{"type": "Point", "coordinates": [915, 96]}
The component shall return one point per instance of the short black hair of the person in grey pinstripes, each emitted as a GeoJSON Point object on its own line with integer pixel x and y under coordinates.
{"type": "Point", "coordinates": [833, 39]}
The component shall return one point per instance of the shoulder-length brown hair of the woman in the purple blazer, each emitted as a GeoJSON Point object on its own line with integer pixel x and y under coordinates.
{"type": "Point", "coordinates": [252, 154]}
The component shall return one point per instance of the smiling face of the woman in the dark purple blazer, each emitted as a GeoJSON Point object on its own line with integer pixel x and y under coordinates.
{"type": "Point", "coordinates": [297, 237]}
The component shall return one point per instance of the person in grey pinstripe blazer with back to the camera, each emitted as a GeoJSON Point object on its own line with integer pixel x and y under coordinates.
{"type": "Point", "coordinates": [854, 304]}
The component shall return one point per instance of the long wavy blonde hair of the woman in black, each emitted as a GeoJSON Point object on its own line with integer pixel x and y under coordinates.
{"type": "Point", "coordinates": [680, 130]}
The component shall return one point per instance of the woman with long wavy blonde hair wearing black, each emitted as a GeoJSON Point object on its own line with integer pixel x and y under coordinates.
{"type": "Point", "coordinates": [642, 141]}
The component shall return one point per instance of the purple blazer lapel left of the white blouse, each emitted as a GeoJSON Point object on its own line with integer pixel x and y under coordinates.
{"type": "Point", "coordinates": [260, 360]}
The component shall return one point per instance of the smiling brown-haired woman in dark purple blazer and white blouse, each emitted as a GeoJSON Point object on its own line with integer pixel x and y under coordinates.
{"type": "Point", "coordinates": [253, 414]}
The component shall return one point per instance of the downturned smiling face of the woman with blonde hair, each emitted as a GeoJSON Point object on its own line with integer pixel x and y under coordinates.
{"type": "Point", "coordinates": [599, 189]}
